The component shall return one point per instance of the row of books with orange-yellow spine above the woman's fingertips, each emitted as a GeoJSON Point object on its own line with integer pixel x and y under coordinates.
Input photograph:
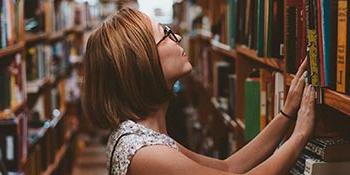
{"type": "Point", "coordinates": [319, 29]}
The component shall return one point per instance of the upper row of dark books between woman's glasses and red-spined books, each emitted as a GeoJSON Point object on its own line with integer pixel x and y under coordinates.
{"type": "Point", "coordinates": [256, 24]}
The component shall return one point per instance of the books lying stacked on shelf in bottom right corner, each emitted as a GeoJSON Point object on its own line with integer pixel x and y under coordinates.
{"type": "Point", "coordinates": [323, 156]}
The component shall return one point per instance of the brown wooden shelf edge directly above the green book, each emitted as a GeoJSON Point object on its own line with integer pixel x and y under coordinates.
{"type": "Point", "coordinates": [274, 63]}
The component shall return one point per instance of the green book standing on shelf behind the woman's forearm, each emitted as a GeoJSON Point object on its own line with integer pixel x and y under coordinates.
{"type": "Point", "coordinates": [251, 108]}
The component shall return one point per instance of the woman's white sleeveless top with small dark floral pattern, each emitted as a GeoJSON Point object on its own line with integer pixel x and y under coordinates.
{"type": "Point", "coordinates": [132, 137]}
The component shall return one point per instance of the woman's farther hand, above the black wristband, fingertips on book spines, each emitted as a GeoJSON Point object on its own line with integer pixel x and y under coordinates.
{"type": "Point", "coordinates": [295, 92]}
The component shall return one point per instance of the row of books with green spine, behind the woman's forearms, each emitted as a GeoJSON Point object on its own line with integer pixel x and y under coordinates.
{"type": "Point", "coordinates": [263, 95]}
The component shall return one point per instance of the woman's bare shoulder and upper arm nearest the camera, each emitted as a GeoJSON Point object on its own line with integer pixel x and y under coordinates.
{"type": "Point", "coordinates": [160, 159]}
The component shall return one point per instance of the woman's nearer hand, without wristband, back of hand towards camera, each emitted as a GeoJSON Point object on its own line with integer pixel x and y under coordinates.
{"type": "Point", "coordinates": [306, 114]}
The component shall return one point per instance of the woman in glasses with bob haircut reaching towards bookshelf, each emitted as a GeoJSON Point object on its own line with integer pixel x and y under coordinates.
{"type": "Point", "coordinates": [130, 66]}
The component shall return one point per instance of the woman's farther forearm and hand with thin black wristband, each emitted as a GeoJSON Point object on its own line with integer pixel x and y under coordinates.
{"type": "Point", "coordinates": [264, 144]}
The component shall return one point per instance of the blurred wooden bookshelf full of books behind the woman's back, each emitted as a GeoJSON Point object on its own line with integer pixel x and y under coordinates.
{"type": "Point", "coordinates": [37, 57]}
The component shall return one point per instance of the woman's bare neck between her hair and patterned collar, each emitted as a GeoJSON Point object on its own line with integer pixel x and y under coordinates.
{"type": "Point", "coordinates": [156, 120]}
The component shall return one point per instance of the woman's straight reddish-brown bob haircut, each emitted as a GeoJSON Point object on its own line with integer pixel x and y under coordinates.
{"type": "Point", "coordinates": [123, 77]}
